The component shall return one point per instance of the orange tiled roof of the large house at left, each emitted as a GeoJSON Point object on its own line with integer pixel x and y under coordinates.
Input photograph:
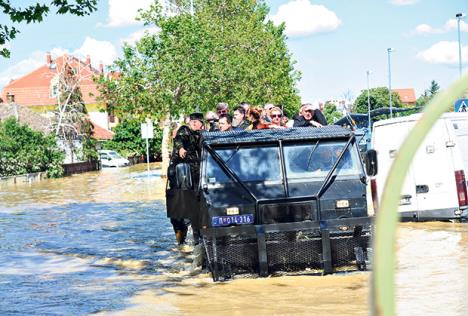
{"type": "Point", "coordinates": [33, 89]}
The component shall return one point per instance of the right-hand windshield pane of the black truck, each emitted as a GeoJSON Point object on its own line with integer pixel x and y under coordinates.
{"type": "Point", "coordinates": [314, 161]}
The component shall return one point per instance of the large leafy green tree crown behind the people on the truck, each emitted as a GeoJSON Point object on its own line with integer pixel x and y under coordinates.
{"type": "Point", "coordinates": [225, 52]}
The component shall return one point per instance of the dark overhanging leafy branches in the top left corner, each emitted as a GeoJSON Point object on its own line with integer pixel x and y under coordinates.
{"type": "Point", "coordinates": [34, 13]}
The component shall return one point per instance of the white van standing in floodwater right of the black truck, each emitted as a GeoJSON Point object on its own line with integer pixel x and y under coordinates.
{"type": "Point", "coordinates": [435, 185]}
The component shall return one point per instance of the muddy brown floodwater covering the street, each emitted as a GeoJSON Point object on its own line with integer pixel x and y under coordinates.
{"type": "Point", "coordinates": [100, 242]}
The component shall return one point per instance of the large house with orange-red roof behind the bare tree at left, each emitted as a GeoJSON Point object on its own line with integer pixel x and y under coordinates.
{"type": "Point", "coordinates": [38, 90]}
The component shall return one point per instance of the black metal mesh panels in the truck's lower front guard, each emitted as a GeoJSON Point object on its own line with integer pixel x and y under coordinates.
{"type": "Point", "coordinates": [286, 251]}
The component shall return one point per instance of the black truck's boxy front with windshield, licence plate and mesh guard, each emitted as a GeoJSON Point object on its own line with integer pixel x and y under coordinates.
{"type": "Point", "coordinates": [282, 200]}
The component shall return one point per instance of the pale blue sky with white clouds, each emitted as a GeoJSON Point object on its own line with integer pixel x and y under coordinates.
{"type": "Point", "coordinates": [333, 41]}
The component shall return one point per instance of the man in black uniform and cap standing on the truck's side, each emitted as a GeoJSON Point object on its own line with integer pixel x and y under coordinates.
{"type": "Point", "coordinates": [182, 203]}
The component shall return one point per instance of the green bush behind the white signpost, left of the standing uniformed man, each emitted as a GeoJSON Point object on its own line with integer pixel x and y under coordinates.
{"type": "Point", "coordinates": [128, 142]}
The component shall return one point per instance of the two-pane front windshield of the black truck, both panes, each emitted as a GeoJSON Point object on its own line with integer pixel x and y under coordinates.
{"type": "Point", "coordinates": [311, 161]}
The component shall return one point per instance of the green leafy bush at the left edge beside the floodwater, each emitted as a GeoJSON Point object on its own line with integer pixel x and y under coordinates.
{"type": "Point", "coordinates": [23, 150]}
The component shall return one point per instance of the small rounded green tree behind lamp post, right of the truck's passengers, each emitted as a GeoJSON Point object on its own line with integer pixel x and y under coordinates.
{"type": "Point", "coordinates": [379, 98]}
